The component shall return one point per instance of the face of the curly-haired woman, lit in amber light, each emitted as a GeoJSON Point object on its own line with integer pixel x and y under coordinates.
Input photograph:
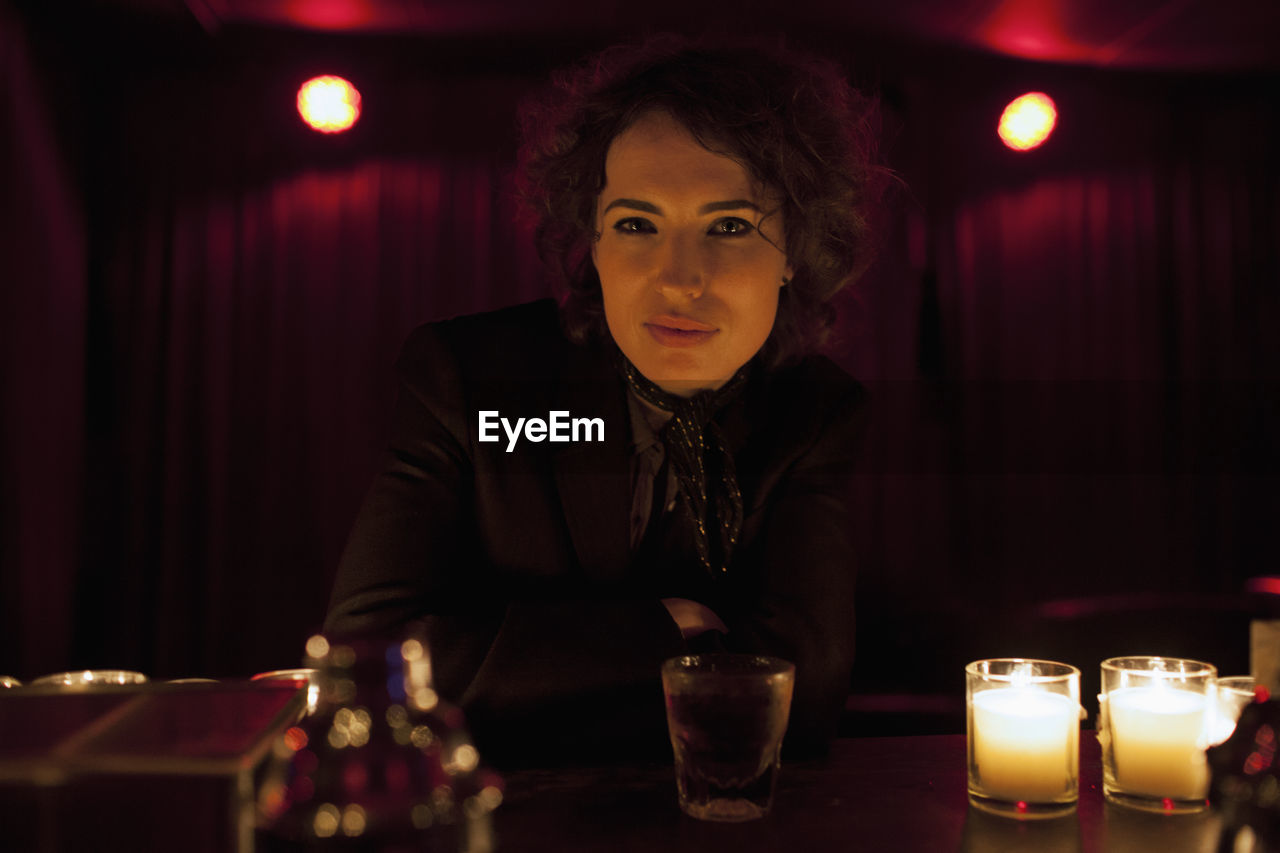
{"type": "Point", "coordinates": [689, 264]}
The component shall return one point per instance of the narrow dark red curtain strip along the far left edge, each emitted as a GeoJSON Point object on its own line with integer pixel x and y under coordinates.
{"type": "Point", "coordinates": [43, 320]}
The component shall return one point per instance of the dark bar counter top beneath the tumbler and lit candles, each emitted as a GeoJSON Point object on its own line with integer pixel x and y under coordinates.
{"type": "Point", "coordinates": [876, 795]}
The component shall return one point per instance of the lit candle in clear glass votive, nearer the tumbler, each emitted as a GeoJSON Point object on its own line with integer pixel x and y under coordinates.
{"type": "Point", "coordinates": [1023, 720]}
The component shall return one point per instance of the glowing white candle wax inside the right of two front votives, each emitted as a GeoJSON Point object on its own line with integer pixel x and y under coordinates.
{"type": "Point", "coordinates": [1158, 742]}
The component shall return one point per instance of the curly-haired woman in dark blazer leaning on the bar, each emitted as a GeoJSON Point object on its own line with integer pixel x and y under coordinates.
{"type": "Point", "coordinates": [703, 206]}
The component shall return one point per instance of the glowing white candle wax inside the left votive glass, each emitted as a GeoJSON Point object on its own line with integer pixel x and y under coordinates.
{"type": "Point", "coordinates": [1026, 743]}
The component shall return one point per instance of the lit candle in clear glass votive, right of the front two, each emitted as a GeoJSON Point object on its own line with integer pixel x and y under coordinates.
{"type": "Point", "coordinates": [1155, 722]}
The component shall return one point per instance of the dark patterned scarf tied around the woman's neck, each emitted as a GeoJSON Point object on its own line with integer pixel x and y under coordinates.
{"type": "Point", "coordinates": [701, 462]}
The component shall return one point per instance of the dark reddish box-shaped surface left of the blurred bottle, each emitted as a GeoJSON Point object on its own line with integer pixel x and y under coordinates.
{"type": "Point", "coordinates": [140, 769]}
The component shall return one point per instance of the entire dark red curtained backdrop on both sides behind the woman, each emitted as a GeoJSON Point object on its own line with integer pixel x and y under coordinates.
{"type": "Point", "coordinates": [1073, 352]}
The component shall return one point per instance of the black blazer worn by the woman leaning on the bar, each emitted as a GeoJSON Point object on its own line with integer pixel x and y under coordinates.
{"type": "Point", "coordinates": [518, 564]}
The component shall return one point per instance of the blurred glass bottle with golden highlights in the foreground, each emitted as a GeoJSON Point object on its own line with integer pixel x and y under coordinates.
{"type": "Point", "coordinates": [383, 764]}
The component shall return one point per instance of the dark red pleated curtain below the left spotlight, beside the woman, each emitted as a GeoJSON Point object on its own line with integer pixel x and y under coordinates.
{"type": "Point", "coordinates": [253, 339]}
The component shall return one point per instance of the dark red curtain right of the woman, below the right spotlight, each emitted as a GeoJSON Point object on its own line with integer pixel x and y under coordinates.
{"type": "Point", "coordinates": [1081, 396]}
